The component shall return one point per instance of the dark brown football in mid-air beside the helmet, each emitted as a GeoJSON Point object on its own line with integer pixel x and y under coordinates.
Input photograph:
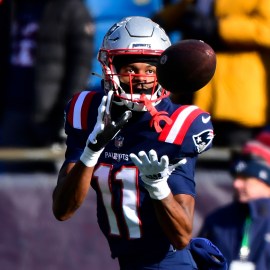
{"type": "Point", "coordinates": [186, 66]}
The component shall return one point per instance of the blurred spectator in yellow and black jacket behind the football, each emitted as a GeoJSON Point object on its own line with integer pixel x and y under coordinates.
{"type": "Point", "coordinates": [239, 31]}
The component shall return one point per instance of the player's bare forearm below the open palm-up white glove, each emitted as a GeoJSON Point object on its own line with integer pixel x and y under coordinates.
{"type": "Point", "coordinates": [176, 218]}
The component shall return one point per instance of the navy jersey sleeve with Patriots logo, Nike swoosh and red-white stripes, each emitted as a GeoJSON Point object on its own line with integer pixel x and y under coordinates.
{"type": "Point", "coordinates": [192, 132]}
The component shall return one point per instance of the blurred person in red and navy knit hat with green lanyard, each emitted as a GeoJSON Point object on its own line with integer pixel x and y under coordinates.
{"type": "Point", "coordinates": [241, 229]}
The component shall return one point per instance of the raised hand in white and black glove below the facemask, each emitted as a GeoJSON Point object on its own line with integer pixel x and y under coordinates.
{"type": "Point", "coordinates": [104, 131]}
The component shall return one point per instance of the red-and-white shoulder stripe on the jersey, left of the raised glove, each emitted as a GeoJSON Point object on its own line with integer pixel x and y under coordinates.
{"type": "Point", "coordinates": [79, 108]}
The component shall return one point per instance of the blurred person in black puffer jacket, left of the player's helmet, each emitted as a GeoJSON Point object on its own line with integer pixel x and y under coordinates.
{"type": "Point", "coordinates": [64, 60]}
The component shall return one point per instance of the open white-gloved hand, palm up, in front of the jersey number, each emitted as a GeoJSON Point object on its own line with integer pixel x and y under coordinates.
{"type": "Point", "coordinates": [155, 173]}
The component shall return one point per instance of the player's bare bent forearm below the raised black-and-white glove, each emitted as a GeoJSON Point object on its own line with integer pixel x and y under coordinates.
{"type": "Point", "coordinates": [71, 190]}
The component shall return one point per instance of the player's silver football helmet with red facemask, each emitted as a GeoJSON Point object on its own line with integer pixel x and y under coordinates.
{"type": "Point", "coordinates": [132, 36]}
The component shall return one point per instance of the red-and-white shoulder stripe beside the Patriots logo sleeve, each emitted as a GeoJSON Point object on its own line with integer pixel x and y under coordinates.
{"type": "Point", "coordinates": [182, 118]}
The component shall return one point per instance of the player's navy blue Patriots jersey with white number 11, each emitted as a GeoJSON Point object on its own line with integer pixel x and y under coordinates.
{"type": "Point", "coordinates": [124, 209]}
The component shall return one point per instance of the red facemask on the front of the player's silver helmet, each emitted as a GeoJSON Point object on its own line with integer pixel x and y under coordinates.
{"type": "Point", "coordinates": [129, 93]}
